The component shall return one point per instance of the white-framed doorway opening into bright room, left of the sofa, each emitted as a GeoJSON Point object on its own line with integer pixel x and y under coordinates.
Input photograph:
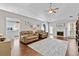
{"type": "Point", "coordinates": [12, 28]}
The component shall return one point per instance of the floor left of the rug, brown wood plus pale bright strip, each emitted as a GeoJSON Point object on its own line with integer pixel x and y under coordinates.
{"type": "Point", "coordinates": [19, 49]}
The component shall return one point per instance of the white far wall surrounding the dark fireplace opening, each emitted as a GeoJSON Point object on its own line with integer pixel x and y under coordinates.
{"type": "Point", "coordinates": [58, 27]}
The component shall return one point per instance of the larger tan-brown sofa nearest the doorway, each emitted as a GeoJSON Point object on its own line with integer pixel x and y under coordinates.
{"type": "Point", "coordinates": [28, 36]}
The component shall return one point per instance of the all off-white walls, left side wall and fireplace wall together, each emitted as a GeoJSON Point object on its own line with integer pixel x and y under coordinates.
{"type": "Point", "coordinates": [24, 26]}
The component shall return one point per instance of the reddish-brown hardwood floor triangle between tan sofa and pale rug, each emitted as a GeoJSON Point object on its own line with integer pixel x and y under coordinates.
{"type": "Point", "coordinates": [27, 51]}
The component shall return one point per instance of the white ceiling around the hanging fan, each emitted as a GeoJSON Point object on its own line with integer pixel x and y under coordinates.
{"type": "Point", "coordinates": [39, 10]}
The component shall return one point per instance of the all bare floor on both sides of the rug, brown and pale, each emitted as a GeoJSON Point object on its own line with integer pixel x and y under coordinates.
{"type": "Point", "coordinates": [23, 50]}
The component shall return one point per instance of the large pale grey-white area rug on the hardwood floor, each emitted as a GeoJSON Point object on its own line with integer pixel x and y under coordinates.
{"type": "Point", "coordinates": [50, 47]}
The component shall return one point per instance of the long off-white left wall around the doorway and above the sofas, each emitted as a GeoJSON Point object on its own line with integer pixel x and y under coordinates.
{"type": "Point", "coordinates": [4, 14]}
